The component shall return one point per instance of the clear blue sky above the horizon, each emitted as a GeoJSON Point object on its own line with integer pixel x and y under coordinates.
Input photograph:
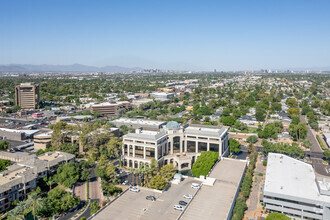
{"type": "Point", "coordinates": [171, 34]}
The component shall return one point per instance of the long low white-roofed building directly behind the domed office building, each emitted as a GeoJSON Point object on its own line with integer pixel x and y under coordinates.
{"type": "Point", "coordinates": [139, 123]}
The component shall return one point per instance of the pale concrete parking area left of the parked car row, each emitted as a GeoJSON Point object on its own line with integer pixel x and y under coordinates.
{"type": "Point", "coordinates": [133, 205]}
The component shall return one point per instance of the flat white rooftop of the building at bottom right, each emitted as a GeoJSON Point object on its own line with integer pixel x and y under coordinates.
{"type": "Point", "coordinates": [292, 178]}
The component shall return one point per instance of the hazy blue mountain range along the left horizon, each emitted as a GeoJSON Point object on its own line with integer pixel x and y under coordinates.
{"type": "Point", "coordinates": [64, 68]}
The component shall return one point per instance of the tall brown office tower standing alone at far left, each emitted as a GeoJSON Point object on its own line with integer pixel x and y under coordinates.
{"type": "Point", "coordinates": [27, 95]}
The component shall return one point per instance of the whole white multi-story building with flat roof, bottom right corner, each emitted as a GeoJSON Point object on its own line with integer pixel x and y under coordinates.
{"type": "Point", "coordinates": [292, 188]}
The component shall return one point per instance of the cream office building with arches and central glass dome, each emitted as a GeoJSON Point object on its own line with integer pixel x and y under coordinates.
{"type": "Point", "coordinates": [173, 144]}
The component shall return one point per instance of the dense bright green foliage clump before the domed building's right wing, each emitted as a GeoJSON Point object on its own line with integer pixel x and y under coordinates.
{"type": "Point", "coordinates": [204, 163]}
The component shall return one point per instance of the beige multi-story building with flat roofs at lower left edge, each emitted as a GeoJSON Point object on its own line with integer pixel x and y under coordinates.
{"type": "Point", "coordinates": [22, 177]}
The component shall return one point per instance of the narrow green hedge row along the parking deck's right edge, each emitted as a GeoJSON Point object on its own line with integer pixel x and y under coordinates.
{"type": "Point", "coordinates": [240, 204]}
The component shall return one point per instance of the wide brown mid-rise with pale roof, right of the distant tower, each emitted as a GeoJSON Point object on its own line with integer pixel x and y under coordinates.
{"type": "Point", "coordinates": [110, 108]}
